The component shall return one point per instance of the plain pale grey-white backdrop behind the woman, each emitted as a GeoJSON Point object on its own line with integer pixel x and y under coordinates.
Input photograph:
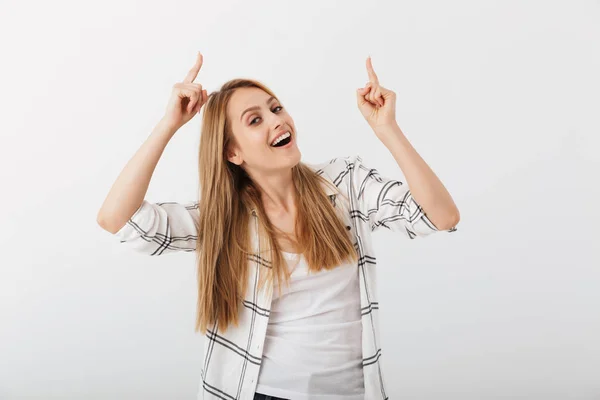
{"type": "Point", "coordinates": [501, 98]}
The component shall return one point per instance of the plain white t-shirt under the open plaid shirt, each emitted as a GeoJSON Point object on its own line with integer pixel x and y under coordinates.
{"type": "Point", "coordinates": [313, 346]}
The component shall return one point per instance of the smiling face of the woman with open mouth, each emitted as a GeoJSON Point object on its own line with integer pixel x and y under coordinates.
{"type": "Point", "coordinates": [257, 119]}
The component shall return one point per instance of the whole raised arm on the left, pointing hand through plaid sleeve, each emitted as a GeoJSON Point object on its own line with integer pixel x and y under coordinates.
{"type": "Point", "coordinates": [125, 211]}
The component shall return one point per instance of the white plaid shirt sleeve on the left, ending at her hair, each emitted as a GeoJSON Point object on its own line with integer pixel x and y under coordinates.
{"type": "Point", "coordinates": [160, 228]}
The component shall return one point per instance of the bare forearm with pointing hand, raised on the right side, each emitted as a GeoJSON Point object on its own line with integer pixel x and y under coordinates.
{"type": "Point", "coordinates": [378, 104]}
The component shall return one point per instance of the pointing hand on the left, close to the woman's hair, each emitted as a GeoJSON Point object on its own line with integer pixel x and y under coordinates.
{"type": "Point", "coordinates": [187, 98]}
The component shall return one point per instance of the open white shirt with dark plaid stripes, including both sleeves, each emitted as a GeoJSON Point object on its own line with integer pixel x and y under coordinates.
{"type": "Point", "coordinates": [365, 200]}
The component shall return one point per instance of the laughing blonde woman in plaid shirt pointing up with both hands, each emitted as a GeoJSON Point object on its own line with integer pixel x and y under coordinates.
{"type": "Point", "coordinates": [264, 218]}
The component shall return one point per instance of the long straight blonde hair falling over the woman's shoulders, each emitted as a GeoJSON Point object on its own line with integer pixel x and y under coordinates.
{"type": "Point", "coordinates": [229, 199]}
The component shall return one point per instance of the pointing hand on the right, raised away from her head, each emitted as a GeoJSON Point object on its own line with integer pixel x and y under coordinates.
{"type": "Point", "coordinates": [376, 103]}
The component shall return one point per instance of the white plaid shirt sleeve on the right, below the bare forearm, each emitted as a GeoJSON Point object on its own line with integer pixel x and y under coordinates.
{"type": "Point", "coordinates": [387, 203]}
